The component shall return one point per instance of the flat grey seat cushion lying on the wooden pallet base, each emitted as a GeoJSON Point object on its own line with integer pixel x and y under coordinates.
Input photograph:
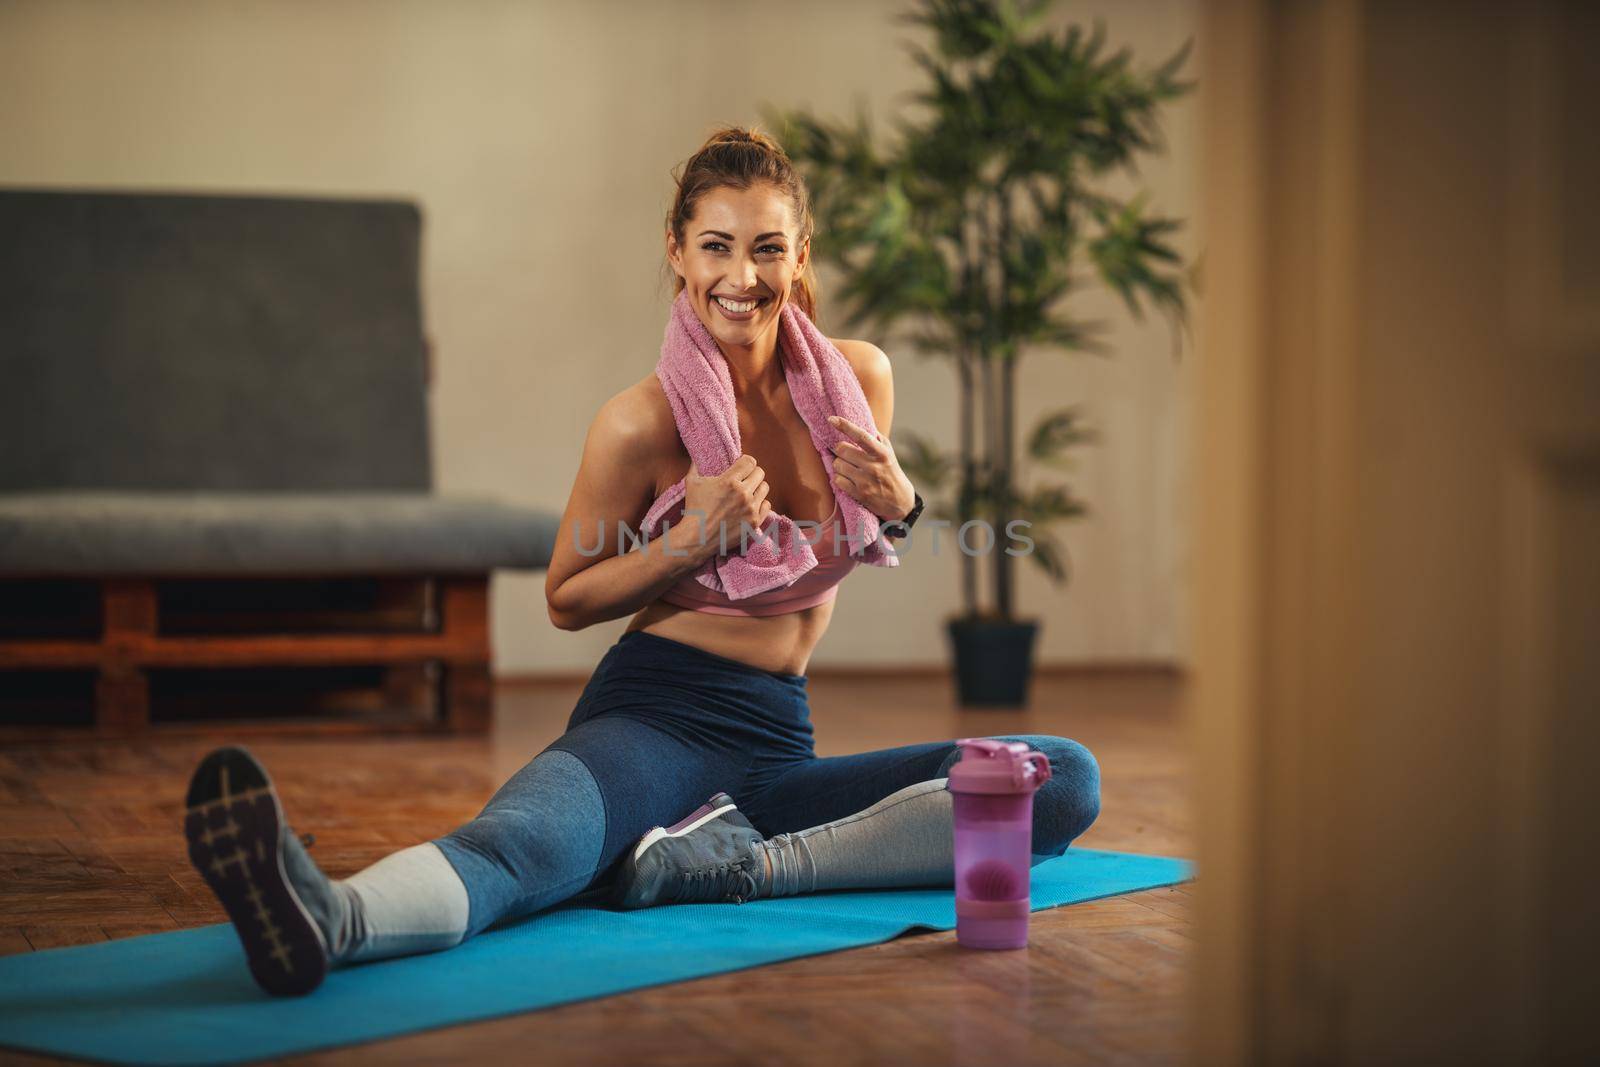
{"type": "Point", "coordinates": [86, 533]}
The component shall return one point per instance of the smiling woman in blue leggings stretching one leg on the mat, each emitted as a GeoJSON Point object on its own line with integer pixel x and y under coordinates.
{"type": "Point", "coordinates": [702, 697]}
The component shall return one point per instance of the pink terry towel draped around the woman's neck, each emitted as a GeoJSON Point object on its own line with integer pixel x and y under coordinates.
{"type": "Point", "coordinates": [695, 377]}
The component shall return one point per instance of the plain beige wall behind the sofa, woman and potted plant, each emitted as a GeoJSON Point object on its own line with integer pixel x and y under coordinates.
{"type": "Point", "coordinates": [538, 140]}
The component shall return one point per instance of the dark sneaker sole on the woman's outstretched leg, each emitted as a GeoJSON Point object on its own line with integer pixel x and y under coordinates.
{"type": "Point", "coordinates": [233, 823]}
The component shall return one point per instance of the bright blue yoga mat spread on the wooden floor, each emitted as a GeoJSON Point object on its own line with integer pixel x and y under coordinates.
{"type": "Point", "coordinates": [186, 997]}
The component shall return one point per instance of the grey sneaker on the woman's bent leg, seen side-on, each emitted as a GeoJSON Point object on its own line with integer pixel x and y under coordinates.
{"type": "Point", "coordinates": [713, 855]}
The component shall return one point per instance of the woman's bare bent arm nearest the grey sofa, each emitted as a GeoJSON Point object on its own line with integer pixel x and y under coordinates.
{"type": "Point", "coordinates": [617, 486]}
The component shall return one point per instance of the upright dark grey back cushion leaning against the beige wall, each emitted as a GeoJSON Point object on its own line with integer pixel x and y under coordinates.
{"type": "Point", "coordinates": [156, 342]}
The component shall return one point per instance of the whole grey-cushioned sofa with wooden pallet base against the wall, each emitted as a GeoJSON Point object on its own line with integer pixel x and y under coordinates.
{"type": "Point", "coordinates": [230, 390]}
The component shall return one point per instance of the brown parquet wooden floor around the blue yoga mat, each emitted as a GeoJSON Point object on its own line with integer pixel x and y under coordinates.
{"type": "Point", "coordinates": [90, 849]}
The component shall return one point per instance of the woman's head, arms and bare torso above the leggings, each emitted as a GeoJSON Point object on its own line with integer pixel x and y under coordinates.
{"type": "Point", "coordinates": [738, 244]}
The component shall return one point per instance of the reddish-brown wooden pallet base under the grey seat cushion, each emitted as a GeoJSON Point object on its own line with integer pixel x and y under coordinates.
{"type": "Point", "coordinates": [426, 636]}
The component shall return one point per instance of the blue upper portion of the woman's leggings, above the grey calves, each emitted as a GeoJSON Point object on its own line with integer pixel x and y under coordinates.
{"type": "Point", "coordinates": [665, 725]}
